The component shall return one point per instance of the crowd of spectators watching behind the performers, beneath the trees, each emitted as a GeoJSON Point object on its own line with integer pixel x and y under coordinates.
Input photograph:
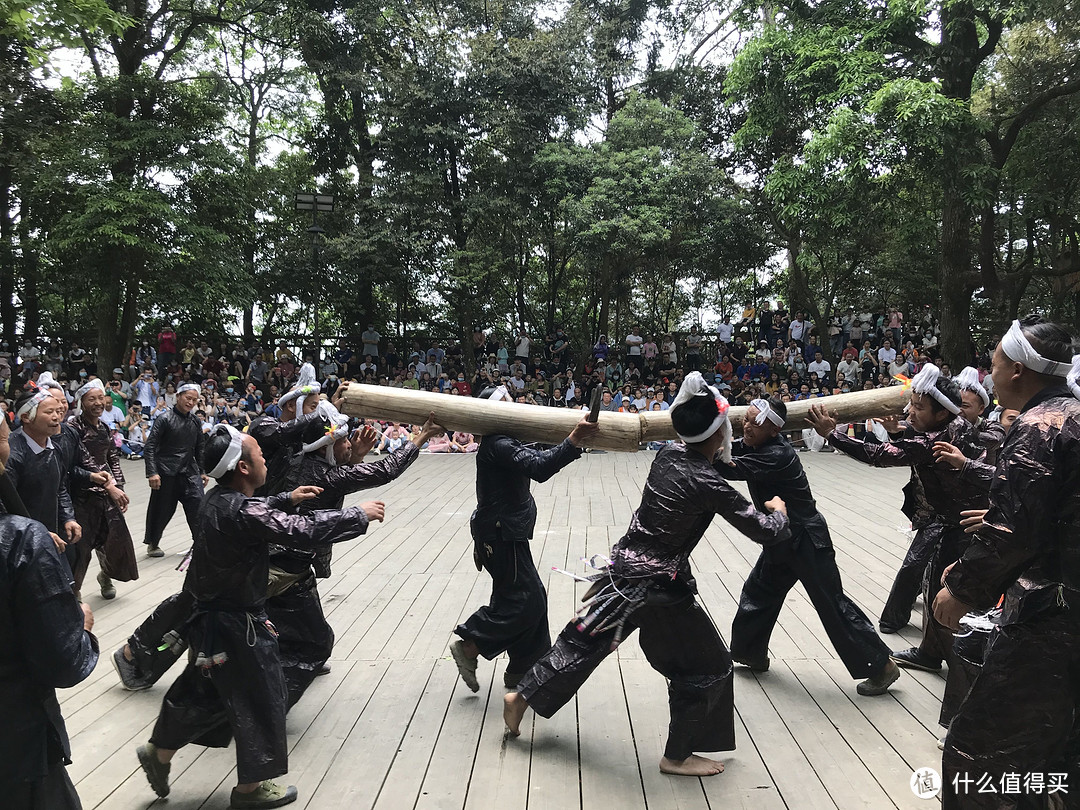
{"type": "Point", "coordinates": [768, 352]}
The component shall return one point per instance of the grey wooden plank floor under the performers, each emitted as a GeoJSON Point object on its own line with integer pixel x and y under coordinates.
{"type": "Point", "coordinates": [393, 726]}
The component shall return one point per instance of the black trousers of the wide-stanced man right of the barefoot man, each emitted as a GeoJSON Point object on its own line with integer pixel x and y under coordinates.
{"type": "Point", "coordinates": [776, 573]}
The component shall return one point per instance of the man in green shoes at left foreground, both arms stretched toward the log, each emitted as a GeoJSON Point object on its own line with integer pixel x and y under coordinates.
{"type": "Point", "coordinates": [234, 685]}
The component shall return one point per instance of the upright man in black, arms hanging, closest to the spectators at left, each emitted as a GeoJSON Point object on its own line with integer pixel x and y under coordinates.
{"type": "Point", "coordinates": [172, 456]}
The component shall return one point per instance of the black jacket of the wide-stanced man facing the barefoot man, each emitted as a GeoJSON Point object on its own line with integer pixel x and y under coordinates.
{"type": "Point", "coordinates": [773, 470]}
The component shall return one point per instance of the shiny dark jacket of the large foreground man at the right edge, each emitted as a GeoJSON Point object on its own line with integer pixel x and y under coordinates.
{"type": "Point", "coordinates": [1030, 548]}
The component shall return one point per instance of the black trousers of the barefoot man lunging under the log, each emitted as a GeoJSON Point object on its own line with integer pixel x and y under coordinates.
{"type": "Point", "coordinates": [682, 644]}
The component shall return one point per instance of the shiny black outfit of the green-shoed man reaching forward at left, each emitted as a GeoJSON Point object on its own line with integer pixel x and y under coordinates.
{"type": "Point", "coordinates": [246, 696]}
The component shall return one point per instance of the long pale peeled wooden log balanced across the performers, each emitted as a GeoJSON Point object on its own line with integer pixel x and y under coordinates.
{"type": "Point", "coordinates": [551, 426]}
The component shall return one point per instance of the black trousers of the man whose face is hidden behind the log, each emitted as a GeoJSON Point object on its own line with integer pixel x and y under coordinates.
{"type": "Point", "coordinates": [516, 619]}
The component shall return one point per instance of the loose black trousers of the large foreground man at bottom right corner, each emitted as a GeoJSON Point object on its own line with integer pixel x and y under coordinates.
{"type": "Point", "coordinates": [1019, 718]}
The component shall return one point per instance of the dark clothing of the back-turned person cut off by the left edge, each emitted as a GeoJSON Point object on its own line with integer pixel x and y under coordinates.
{"type": "Point", "coordinates": [43, 649]}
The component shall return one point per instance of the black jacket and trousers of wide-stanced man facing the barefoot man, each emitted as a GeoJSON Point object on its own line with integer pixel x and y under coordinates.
{"type": "Point", "coordinates": [773, 470]}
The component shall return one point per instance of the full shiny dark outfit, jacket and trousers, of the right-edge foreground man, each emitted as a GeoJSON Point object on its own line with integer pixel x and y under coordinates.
{"type": "Point", "coordinates": [1020, 715]}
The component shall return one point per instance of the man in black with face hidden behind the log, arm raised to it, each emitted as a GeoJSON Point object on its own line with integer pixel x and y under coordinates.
{"type": "Point", "coordinates": [516, 619]}
